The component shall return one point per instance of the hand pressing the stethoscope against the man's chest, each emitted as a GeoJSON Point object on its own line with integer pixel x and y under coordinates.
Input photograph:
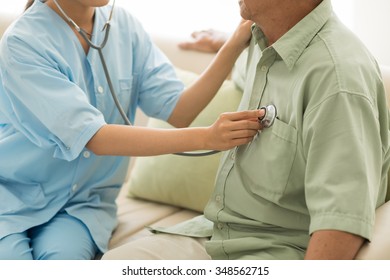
{"type": "Point", "coordinates": [233, 129]}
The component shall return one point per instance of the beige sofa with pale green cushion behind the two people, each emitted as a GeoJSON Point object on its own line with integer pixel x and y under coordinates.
{"type": "Point", "coordinates": [166, 190]}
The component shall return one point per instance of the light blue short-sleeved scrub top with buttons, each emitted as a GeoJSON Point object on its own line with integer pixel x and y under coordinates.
{"type": "Point", "coordinates": [53, 99]}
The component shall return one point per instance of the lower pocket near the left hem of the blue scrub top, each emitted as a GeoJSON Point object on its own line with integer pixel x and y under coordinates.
{"type": "Point", "coordinates": [15, 196]}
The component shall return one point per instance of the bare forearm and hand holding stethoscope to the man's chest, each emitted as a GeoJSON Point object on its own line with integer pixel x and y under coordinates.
{"type": "Point", "coordinates": [230, 130]}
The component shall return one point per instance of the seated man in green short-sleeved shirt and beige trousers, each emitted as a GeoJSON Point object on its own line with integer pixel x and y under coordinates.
{"type": "Point", "coordinates": [308, 187]}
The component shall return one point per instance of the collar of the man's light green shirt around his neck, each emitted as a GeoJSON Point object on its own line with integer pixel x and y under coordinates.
{"type": "Point", "coordinates": [292, 44]}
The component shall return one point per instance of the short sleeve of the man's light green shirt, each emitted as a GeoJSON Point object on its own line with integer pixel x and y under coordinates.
{"type": "Point", "coordinates": [344, 162]}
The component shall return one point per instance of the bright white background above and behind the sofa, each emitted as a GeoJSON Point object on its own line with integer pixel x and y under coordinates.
{"type": "Point", "coordinates": [369, 19]}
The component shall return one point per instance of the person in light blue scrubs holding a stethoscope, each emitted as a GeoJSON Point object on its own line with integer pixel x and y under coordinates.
{"type": "Point", "coordinates": [57, 119]}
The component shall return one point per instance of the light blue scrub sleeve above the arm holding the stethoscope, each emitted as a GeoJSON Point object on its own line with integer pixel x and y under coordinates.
{"type": "Point", "coordinates": [40, 100]}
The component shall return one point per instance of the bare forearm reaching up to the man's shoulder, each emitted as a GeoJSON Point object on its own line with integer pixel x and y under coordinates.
{"type": "Point", "coordinates": [195, 98]}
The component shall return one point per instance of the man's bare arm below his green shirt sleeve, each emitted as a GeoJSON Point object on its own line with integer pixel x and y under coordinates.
{"type": "Point", "coordinates": [333, 245]}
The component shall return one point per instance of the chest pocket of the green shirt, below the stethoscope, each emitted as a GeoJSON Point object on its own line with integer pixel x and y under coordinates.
{"type": "Point", "coordinates": [266, 163]}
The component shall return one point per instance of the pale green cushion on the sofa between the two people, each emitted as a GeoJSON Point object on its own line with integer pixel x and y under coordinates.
{"type": "Point", "coordinates": [183, 181]}
